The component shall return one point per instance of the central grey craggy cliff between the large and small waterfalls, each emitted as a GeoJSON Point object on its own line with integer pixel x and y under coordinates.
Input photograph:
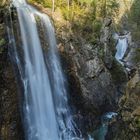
{"type": "Point", "coordinates": [96, 80]}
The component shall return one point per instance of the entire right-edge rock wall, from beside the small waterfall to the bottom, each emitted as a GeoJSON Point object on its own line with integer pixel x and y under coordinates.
{"type": "Point", "coordinates": [127, 124]}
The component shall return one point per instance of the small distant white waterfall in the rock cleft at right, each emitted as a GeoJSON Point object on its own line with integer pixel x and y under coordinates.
{"type": "Point", "coordinates": [121, 48]}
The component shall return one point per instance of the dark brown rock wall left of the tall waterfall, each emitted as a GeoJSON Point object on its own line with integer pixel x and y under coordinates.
{"type": "Point", "coordinates": [10, 122]}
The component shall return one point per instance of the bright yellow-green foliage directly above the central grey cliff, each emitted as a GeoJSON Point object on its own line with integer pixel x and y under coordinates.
{"type": "Point", "coordinates": [84, 16]}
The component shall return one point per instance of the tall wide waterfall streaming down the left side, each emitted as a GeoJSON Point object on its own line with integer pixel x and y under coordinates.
{"type": "Point", "coordinates": [47, 115]}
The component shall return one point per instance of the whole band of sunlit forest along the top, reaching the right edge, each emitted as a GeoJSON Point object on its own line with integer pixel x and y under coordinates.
{"type": "Point", "coordinates": [86, 16]}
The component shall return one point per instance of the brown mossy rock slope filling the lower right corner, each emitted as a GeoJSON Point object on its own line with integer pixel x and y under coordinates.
{"type": "Point", "coordinates": [127, 125]}
